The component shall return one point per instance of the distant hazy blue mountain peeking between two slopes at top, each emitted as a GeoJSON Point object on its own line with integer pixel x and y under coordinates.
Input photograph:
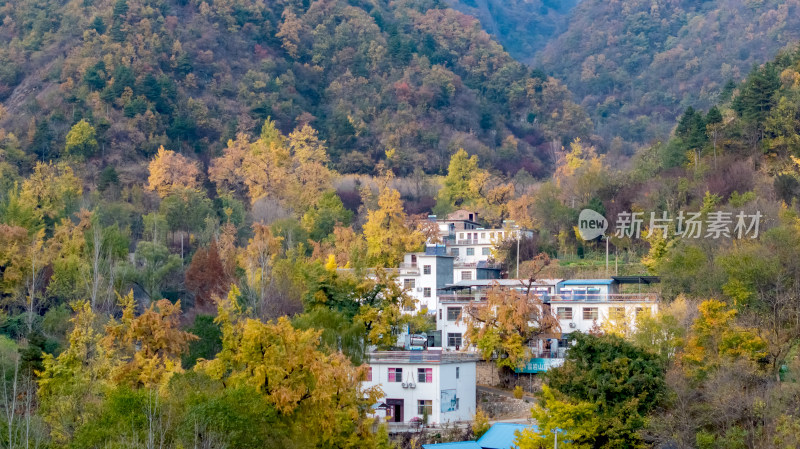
{"type": "Point", "coordinates": [523, 27]}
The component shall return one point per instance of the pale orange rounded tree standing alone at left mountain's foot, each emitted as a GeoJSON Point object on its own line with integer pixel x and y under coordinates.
{"type": "Point", "coordinates": [170, 170]}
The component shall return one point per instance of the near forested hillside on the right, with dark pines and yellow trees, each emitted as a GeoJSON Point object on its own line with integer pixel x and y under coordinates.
{"type": "Point", "coordinates": [717, 367]}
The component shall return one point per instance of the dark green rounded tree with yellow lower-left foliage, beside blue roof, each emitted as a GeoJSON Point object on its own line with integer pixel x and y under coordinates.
{"type": "Point", "coordinates": [601, 396]}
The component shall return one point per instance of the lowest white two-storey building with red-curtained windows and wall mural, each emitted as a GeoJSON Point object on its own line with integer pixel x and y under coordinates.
{"type": "Point", "coordinates": [428, 383]}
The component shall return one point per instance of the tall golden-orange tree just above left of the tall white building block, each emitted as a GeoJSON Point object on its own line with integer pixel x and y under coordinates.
{"type": "Point", "coordinates": [387, 232]}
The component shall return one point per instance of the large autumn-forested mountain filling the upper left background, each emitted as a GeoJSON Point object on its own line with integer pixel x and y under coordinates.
{"type": "Point", "coordinates": [370, 75]}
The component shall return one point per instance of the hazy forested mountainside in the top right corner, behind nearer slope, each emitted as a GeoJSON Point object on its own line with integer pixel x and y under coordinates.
{"type": "Point", "coordinates": [635, 65]}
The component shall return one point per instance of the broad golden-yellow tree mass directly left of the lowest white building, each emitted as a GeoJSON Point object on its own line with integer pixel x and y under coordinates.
{"type": "Point", "coordinates": [320, 391]}
